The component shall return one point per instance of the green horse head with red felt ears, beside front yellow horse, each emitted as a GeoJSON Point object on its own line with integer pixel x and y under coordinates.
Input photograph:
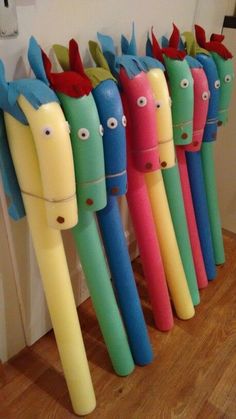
{"type": "Point", "coordinates": [74, 90]}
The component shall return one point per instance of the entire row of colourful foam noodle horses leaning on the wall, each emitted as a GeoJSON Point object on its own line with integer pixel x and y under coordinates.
{"type": "Point", "coordinates": [53, 162]}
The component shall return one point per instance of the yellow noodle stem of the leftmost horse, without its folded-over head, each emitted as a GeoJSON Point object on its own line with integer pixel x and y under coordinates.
{"type": "Point", "coordinates": [51, 258]}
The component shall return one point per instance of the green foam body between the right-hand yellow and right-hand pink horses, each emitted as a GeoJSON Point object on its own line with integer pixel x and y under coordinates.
{"type": "Point", "coordinates": [181, 89]}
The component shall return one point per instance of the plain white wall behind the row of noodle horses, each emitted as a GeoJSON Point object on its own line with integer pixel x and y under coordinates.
{"type": "Point", "coordinates": [56, 21]}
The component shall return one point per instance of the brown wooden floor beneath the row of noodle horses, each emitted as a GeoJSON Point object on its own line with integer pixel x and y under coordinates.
{"type": "Point", "coordinates": [193, 374]}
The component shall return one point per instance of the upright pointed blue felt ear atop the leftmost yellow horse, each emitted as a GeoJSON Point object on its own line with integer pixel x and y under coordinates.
{"type": "Point", "coordinates": [36, 60]}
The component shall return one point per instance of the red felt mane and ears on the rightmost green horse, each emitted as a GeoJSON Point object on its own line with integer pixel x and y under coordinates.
{"type": "Point", "coordinates": [215, 43]}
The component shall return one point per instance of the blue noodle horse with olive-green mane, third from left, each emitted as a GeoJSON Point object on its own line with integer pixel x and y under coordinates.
{"type": "Point", "coordinates": [111, 115]}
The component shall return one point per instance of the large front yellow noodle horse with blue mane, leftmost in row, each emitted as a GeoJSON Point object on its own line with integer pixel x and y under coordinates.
{"type": "Point", "coordinates": [40, 148]}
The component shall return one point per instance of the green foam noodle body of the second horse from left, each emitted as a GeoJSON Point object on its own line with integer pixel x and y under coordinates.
{"type": "Point", "coordinates": [82, 114]}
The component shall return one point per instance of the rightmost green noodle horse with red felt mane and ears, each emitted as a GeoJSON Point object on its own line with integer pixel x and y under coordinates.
{"type": "Point", "coordinates": [222, 58]}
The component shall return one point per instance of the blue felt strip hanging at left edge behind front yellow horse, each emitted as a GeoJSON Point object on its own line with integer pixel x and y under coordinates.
{"type": "Point", "coordinates": [10, 182]}
